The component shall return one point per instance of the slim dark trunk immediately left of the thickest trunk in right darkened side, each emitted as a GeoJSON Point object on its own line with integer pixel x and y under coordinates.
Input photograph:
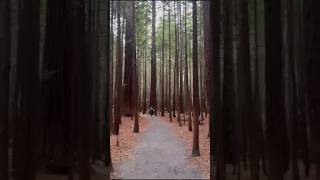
{"type": "Point", "coordinates": [244, 69]}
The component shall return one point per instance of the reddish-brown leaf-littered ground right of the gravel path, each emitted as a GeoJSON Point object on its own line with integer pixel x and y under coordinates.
{"type": "Point", "coordinates": [203, 161]}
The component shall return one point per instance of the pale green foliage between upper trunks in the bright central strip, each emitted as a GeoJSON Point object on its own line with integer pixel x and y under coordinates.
{"type": "Point", "coordinates": [143, 14]}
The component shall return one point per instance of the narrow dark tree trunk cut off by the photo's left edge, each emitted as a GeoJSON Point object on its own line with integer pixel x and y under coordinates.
{"type": "Point", "coordinates": [4, 84]}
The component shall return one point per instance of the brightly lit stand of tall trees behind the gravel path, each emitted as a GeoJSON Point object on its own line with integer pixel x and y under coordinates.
{"type": "Point", "coordinates": [157, 59]}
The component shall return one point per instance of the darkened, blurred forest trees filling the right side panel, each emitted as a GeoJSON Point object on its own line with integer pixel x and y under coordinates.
{"type": "Point", "coordinates": [264, 103]}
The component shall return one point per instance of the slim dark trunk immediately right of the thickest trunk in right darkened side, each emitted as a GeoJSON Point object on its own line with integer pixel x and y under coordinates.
{"type": "Point", "coordinates": [290, 58]}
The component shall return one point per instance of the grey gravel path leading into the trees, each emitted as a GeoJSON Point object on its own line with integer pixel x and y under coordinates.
{"type": "Point", "coordinates": [159, 154]}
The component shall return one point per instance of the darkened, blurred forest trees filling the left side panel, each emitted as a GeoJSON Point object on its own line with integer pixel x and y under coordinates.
{"type": "Point", "coordinates": [53, 79]}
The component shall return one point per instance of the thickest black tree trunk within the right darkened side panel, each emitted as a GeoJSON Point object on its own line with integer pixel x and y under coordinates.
{"type": "Point", "coordinates": [276, 129]}
